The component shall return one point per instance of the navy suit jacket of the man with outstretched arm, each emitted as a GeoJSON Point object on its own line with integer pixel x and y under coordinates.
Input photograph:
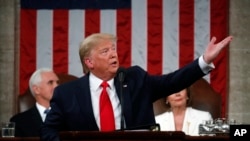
{"type": "Point", "coordinates": [71, 107]}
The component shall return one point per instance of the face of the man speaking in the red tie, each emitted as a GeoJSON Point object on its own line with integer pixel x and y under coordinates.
{"type": "Point", "coordinates": [103, 60]}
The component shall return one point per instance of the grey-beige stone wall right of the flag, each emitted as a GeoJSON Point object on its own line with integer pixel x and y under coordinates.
{"type": "Point", "coordinates": [239, 86]}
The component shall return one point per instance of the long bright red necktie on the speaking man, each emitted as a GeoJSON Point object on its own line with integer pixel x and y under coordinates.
{"type": "Point", "coordinates": [107, 120]}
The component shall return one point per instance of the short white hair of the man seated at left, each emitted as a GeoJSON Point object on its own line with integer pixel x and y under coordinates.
{"type": "Point", "coordinates": [36, 78]}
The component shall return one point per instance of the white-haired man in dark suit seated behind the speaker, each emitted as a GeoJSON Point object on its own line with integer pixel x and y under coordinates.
{"type": "Point", "coordinates": [41, 84]}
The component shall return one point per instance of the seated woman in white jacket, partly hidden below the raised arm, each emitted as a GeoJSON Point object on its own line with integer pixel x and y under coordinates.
{"type": "Point", "coordinates": [180, 116]}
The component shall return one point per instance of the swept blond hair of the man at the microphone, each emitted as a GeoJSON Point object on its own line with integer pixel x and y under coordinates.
{"type": "Point", "coordinates": [91, 42]}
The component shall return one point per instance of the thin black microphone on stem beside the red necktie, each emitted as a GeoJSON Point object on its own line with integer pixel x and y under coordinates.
{"type": "Point", "coordinates": [121, 75]}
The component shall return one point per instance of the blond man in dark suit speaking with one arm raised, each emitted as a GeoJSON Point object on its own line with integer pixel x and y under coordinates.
{"type": "Point", "coordinates": [132, 91]}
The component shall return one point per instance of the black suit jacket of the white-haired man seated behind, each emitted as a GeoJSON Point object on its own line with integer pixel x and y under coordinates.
{"type": "Point", "coordinates": [28, 123]}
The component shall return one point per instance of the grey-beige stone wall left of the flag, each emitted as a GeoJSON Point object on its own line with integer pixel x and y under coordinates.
{"type": "Point", "coordinates": [8, 58]}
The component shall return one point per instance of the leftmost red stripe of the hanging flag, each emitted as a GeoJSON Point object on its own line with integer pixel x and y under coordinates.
{"type": "Point", "coordinates": [27, 47]}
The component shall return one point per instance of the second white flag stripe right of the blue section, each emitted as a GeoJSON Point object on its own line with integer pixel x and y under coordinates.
{"type": "Point", "coordinates": [170, 35]}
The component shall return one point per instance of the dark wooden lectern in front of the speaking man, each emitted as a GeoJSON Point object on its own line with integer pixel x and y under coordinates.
{"type": "Point", "coordinates": [122, 136]}
